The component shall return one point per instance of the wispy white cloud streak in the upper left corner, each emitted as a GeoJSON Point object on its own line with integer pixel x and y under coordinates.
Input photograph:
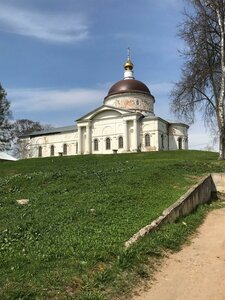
{"type": "Point", "coordinates": [61, 27]}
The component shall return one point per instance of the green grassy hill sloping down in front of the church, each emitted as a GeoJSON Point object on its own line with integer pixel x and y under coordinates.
{"type": "Point", "coordinates": [67, 243]}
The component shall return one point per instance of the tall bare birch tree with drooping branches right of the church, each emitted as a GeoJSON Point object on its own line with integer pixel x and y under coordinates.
{"type": "Point", "coordinates": [202, 84]}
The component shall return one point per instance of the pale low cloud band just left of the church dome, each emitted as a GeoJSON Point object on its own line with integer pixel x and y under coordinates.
{"type": "Point", "coordinates": [38, 100]}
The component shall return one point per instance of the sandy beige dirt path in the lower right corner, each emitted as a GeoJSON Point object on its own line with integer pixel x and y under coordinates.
{"type": "Point", "coordinates": [198, 270]}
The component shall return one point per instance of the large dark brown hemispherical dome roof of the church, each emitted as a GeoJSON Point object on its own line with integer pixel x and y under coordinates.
{"type": "Point", "coordinates": [128, 86]}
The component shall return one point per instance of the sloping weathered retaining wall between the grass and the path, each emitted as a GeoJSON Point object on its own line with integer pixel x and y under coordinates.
{"type": "Point", "coordinates": [198, 194]}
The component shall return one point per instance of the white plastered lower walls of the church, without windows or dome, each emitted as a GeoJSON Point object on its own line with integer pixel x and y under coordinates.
{"type": "Point", "coordinates": [113, 124]}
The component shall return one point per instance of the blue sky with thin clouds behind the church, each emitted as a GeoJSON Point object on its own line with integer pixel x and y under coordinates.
{"type": "Point", "coordinates": [58, 58]}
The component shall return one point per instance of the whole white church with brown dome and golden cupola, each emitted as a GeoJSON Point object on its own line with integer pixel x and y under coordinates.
{"type": "Point", "coordinates": [125, 123]}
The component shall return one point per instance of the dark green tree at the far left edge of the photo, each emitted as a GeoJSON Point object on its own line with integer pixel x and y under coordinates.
{"type": "Point", "coordinates": [5, 126]}
